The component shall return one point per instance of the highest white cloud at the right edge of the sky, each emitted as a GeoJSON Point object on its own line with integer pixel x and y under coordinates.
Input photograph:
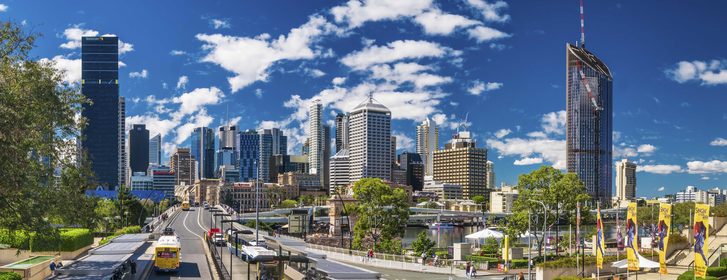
{"type": "Point", "coordinates": [707, 72]}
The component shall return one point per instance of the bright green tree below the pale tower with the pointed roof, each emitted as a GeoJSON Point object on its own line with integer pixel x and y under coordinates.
{"type": "Point", "coordinates": [382, 211]}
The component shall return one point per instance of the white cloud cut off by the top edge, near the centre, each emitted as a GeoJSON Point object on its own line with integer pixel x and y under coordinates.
{"type": "Point", "coordinates": [355, 13]}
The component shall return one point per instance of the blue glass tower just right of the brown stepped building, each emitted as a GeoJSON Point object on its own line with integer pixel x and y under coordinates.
{"type": "Point", "coordinates": [203, 150]}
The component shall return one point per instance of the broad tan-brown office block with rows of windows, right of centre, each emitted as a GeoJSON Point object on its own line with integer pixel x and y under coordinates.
{"type": "Point", "coordinates": [462, 163]}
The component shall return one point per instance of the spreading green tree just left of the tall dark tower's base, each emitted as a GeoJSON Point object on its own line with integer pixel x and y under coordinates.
{"type": "Point", "coordinates": [559, 193]}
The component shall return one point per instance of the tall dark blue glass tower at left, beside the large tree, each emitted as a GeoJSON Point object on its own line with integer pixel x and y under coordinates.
{"type": "Point", "coordinates": [100, 85]}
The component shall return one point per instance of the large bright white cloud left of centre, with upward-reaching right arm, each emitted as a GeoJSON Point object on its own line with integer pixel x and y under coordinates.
{"type": "Point", "coordinates": [249, 58]}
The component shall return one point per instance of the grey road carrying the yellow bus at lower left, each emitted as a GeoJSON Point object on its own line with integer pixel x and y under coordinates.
{"type": "Point", "coordinates": [188, 226]}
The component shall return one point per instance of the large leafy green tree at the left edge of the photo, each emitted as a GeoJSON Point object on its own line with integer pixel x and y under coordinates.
{"type": "Point", "coordinates": [38, 128]}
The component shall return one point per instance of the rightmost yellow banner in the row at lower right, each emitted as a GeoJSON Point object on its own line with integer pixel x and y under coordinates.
{"type": "Point", "coordinates": [701, 233]}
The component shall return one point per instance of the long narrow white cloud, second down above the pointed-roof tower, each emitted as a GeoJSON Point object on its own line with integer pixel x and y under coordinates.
{"type": "Point", "coordinates": [394, 51]}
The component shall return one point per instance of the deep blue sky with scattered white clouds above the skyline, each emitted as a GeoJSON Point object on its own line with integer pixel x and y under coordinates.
{"type": "Point", "coordinates": [501, 63]}
